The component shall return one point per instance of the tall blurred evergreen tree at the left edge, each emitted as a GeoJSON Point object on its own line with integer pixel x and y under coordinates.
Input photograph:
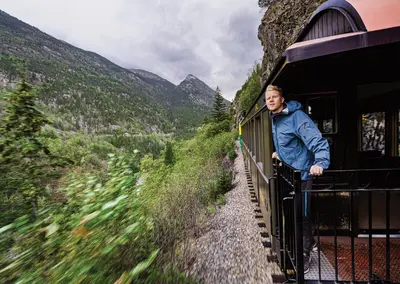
{"type": "Point", "coordinates": [26, 164]}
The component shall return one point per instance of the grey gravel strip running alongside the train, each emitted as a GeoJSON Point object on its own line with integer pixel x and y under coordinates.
{"type": "Point", "coordinates": [231, 250]}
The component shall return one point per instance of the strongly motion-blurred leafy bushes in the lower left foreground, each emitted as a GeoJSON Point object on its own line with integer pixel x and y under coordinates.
{"type": "Point", "coordinates": [99, 236]}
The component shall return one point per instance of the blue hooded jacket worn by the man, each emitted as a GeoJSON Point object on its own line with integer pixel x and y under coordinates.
{"type": "Point", "coordinates": [297, 140]}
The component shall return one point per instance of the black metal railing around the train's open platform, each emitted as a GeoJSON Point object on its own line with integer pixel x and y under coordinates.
{"type": "Point", "coordinates": [345, 205]}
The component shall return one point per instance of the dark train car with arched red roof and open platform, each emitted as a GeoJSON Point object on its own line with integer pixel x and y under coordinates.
{"type": "Point", "coordinates": [343, 69]}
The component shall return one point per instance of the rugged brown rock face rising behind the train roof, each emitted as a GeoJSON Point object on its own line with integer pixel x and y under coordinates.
{"type": "Point", "coordinates": [281, 24]}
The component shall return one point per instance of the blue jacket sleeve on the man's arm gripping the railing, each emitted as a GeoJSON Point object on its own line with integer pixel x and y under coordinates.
{"type": "Point", "coordinates": [309, 133]}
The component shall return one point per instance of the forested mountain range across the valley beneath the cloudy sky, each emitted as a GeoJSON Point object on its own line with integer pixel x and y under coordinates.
{"type": "Point", "coordinates": [81, 90]}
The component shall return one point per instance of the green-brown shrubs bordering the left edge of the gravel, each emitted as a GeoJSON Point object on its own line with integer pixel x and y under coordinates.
{"type": "Point", "coordinates": [180, 196]}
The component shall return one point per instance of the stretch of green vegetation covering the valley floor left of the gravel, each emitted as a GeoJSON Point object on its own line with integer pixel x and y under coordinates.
{"type": "Point", "coordinates": [123, 209]}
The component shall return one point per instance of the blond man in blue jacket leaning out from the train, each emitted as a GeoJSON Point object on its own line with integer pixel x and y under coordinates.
{"type": "Point", "coordinates": [298, 143]}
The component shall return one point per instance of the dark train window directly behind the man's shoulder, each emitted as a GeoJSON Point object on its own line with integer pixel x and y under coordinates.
{"type": "Point", "coordinates": [322, 111]}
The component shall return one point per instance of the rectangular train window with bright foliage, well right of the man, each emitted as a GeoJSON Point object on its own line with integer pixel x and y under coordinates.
{"type": "Point", "coordinates": [373, 132]}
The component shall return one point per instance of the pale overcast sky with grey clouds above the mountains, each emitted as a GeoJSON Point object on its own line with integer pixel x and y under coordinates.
{"type": "Point", "coordinates": [215, 40]}
